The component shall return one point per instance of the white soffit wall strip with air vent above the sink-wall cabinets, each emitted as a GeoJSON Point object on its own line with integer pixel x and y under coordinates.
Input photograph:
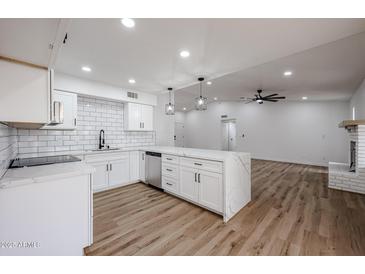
{"type": "Point", "coordinates": [93, 88]}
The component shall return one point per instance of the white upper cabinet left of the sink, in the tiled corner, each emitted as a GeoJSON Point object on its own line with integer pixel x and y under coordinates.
{"type": "Point", "coordinates": [69, 111]}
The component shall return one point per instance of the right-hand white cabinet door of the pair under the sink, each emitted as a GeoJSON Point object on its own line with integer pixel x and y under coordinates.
{"type": "Point", "coordinates": [119, 171]}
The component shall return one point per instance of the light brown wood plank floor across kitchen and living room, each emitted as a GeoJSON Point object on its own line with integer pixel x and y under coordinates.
{"type": "Point", "coordinates": [292, 212]}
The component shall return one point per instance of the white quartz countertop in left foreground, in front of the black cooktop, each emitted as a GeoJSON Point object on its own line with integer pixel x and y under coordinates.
{"type": "Point", "coordinates": [37, 174]}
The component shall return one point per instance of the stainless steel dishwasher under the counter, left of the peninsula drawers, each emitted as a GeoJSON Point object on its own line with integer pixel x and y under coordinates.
{"type": "Point", "coordinates": [153, 168]}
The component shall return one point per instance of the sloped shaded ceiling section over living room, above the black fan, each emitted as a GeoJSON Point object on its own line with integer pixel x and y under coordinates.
{"type": "Point", "coordinates": [329, 72]}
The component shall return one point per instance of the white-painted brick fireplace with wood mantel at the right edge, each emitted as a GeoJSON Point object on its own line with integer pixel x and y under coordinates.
{"type": "Point", "coordinates": [351, 176]}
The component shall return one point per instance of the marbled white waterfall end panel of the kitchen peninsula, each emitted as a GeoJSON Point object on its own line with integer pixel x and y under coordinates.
{"type": "Point", "coordinates": [237, 192]}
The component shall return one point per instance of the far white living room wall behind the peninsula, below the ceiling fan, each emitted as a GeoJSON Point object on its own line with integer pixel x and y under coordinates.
{"type": "Point", "coordinates": [298, 132]}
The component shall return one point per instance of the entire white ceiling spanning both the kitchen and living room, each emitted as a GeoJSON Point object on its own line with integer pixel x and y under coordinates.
{"type": "Point", "coordinates": [230, 51]}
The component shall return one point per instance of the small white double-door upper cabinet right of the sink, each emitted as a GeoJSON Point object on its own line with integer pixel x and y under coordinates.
{"type": "Point", "coordinates": [138, 117]}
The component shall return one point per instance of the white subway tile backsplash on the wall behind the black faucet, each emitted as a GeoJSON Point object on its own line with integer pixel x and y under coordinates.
{"type": "Point", "coordinates": [93, 115]}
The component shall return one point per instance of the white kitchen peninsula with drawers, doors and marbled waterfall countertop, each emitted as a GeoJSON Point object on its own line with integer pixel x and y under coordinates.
{"type": "Point", "coordinates": [219, 181]}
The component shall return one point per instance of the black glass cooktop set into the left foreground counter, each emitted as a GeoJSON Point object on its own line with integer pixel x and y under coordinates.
{"type": "Point", "coordinates": [40, 161]}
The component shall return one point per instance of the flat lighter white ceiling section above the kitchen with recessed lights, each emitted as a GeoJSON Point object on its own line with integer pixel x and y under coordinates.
{"type": "Point", "coordinates": [149, 53]}
